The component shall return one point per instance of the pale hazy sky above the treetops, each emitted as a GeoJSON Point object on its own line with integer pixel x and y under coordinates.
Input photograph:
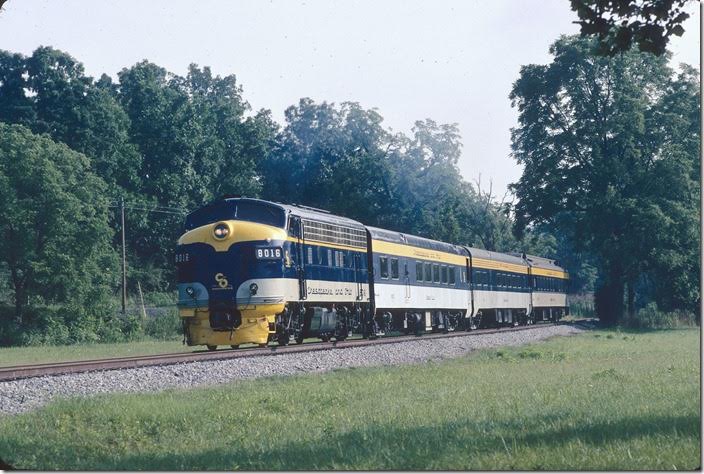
{"type": "Point", "coordinates": [451, 61]}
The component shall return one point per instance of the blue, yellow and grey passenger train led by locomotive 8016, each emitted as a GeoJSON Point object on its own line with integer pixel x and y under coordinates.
{"type": "Point", "coordinates": [254, 271]}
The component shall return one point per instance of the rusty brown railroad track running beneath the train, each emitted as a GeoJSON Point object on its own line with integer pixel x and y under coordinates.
{"type": "Point", "coordinates": [39, 370]}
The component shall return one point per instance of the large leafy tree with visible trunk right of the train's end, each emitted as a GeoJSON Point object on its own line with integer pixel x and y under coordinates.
{"type": "Point", "coordinates": [609, 147]}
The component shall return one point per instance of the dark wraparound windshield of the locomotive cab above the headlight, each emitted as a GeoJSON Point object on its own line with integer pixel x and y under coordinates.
{"type": "Point", "coordinates": [241, 210]}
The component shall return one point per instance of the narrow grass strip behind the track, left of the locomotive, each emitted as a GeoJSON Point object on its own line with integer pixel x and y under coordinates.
{"type": "Point", "coordinates": [10, 356]}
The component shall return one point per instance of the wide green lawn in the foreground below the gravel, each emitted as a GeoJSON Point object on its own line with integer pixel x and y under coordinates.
{"type": "Point", "coordinates": [604, 400]}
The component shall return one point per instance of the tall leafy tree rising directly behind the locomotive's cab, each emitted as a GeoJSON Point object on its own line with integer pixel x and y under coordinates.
{"type": "Point", "coordinates": [197, 144]}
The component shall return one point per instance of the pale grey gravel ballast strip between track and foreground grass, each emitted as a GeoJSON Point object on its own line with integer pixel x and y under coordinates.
{"type": "Point", "coordinates": [23, 395]}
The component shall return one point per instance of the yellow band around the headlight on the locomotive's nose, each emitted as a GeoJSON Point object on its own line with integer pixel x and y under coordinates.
{"type": "Point", "coordinates": [242, 231]}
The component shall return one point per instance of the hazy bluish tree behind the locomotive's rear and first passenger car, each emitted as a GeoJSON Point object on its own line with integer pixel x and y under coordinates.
{"type": "Point", "coordinates": [333, 158]}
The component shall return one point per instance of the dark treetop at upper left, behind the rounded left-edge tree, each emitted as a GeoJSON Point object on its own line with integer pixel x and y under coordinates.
{"type": "Point", "coordinates": [50, 93]}
